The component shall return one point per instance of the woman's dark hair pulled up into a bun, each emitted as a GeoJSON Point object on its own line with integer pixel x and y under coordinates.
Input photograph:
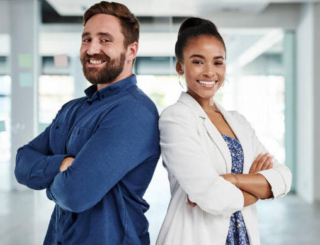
{"type": "Point", "coordinates": [195, 27]}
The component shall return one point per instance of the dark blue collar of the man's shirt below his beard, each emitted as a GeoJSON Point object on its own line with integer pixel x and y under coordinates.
{"type": "Point", "coordinates": [93, 94]}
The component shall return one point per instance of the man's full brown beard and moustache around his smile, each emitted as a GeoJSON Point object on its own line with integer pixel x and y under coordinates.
{"type": "Point", "coordinates": [106, 74]}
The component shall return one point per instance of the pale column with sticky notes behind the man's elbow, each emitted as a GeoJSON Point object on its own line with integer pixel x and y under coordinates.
{"type": "Point", "coordinates": [24, 62]}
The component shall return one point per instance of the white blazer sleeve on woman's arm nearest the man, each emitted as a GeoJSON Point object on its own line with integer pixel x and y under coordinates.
{"type": "Point", "coordinates": [186, 159]}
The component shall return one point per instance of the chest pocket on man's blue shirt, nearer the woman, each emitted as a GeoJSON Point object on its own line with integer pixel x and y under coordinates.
{"type": "Point", "coordinates": [78, 138]}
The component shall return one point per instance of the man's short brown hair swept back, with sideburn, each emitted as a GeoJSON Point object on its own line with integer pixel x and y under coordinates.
{"type": "Point", "coordinates": [130, 26]}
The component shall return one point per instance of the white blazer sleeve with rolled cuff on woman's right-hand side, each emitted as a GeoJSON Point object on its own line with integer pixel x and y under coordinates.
{"type": "Point", "coordinates": [279, 177]}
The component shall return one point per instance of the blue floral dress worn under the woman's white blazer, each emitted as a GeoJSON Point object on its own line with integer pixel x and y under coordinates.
{"type": "Point", "coordinates": [237, 234]}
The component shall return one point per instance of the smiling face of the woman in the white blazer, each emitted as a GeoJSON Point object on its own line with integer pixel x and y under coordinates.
{"type": "Point", "coordinates": [203, 66]}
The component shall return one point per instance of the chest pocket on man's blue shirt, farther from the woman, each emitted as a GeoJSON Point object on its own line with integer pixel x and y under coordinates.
{"type": "Point", "coordinates": [58, 135]}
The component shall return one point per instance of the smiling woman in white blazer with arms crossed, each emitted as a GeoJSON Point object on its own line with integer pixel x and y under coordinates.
{"type": "Point", "coordinates": [218, 169]}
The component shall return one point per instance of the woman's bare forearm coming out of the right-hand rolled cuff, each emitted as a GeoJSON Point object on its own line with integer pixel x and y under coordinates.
{"type": "Point", "coordinates": [255, 184]}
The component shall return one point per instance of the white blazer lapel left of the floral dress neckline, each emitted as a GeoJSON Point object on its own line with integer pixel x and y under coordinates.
{"type": "Point", "coordinates": [213, 133]}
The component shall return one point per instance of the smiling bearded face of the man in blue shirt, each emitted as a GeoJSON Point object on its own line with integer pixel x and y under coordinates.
{"type": "Point", "coordinates": [102, 52]}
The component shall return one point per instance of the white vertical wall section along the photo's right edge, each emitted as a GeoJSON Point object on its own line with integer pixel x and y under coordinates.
{"type": "Point", "coordinates": [308, 51]}
